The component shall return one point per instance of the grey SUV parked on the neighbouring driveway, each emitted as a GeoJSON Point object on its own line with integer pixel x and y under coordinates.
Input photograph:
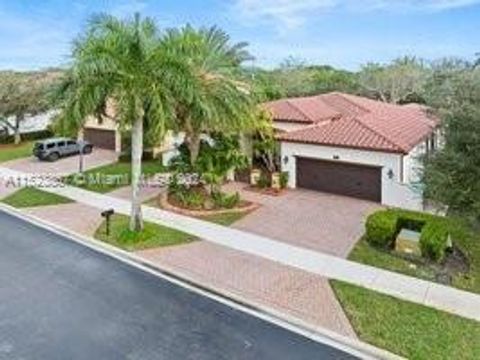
{"type": "Point", "coordinates": [55, 148]}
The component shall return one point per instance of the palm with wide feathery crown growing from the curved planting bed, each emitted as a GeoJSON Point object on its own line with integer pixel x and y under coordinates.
{"type": "Point", "coordinates": [208, 95]}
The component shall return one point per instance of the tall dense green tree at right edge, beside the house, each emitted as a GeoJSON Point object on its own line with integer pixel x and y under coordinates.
{"type": "Point", "coordinates": [451, 175]}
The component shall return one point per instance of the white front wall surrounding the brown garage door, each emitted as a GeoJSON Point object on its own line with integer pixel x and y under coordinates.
{"type": "Point", "coordinates": [394, 191]}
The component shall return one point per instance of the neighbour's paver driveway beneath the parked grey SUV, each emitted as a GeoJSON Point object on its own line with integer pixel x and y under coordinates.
{"type": "Point", "coordinates": [64, 166]}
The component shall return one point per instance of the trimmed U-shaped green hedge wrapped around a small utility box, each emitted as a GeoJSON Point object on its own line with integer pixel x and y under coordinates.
{"type": "Point", "coordinates": [382, 227]}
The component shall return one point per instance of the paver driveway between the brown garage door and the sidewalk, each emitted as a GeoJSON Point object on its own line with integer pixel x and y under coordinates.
{"type": "Point", "coordinates": [310, 219]}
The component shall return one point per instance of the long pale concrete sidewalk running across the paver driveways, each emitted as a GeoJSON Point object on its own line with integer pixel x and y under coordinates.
{"type": "Point", "coordinates": [404, 287]}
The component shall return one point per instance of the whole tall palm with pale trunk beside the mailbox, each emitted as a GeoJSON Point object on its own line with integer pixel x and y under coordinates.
{"type": "Point", "coordinates": [122, 62]}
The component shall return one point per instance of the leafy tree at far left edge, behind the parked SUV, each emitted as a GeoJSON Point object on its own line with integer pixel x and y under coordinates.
{"type": "Point", "coordinates": [24, 94]}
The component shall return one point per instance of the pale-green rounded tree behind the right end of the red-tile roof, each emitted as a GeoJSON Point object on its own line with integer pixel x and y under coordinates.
{"type": "Point", "coordinates": [402, 81]}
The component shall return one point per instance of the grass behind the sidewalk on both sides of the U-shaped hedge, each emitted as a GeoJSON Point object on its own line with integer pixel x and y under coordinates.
{"type": "Point", "coordinates": [464, 238]}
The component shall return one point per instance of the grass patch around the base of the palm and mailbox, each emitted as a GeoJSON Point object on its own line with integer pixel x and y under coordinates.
{"type": "Point", "coordinates": [152, 236]}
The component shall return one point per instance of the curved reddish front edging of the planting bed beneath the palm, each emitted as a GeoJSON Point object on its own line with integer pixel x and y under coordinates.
{"type": "Point", "coordinates": [169, 203]}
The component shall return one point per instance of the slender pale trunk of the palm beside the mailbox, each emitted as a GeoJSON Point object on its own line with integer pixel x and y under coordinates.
{"type": "Point", "coordinates": [136, 220]}
